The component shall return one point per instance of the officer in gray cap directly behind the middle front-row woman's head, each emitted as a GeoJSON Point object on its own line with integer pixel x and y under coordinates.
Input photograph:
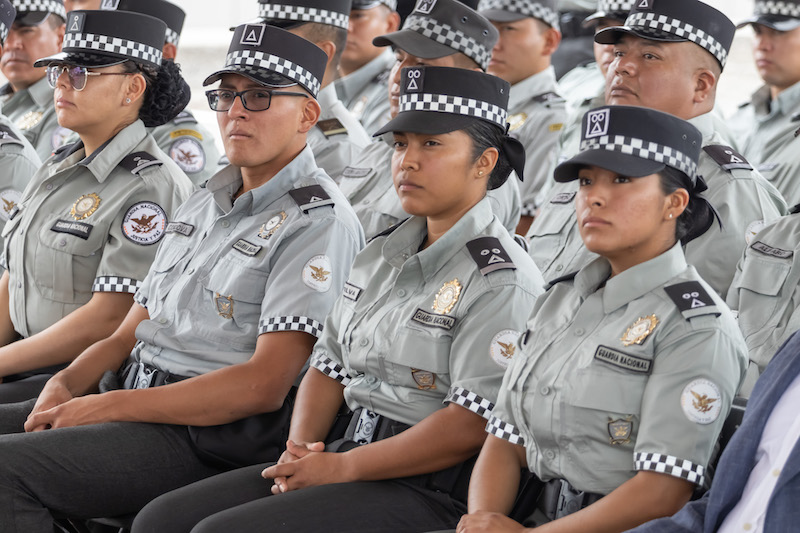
{"type": "Point", "coordinates": [423, 40]}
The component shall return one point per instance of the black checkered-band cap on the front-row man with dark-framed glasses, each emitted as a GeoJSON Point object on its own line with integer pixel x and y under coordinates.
{"type": "Point", "coordinates": [274, 57]}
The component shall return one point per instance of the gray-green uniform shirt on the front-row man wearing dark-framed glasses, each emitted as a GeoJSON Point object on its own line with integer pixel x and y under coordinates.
{"type": "Point", "coordinates": [275, 259]}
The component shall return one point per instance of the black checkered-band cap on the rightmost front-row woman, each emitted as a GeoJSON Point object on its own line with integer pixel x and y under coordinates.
{"type": "Point", "coordinates": [635, 142]}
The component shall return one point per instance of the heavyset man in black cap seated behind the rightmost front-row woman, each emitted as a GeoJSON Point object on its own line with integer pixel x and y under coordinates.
{"type": "Point", "coordinates": [683, 83]}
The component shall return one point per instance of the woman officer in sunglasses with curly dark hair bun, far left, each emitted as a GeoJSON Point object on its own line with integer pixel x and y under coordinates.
{"type": "Point", "coordinates": [83, 235]}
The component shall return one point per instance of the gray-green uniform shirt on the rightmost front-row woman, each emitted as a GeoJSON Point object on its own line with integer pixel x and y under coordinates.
{"type": "Point", "coordinates": [622, 374]}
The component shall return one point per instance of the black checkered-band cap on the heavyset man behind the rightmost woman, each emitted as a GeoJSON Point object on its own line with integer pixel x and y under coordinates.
{"type": "Point", "coordinates": [676, 21]}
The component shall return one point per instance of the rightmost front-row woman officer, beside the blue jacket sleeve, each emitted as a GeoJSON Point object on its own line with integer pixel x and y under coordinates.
{"type": "Point", "coordinates": [628, 367]}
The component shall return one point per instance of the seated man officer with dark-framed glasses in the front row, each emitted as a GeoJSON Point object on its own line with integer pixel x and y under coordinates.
{"type": "Point", "coordinates": [223, 323]}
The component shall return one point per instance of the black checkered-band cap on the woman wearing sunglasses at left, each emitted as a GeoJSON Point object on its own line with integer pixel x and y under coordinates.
{"type": "Point", "coordinates": [103, 38]}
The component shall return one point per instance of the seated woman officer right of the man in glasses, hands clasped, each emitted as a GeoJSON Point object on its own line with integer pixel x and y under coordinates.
{"type": "Point", "coordinates": [415, 346]}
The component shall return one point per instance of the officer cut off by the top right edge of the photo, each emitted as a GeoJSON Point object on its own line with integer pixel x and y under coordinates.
{"type": "Point", "coordinates": [766, 126]}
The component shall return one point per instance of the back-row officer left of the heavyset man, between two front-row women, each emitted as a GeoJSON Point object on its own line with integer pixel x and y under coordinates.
{"type": "Point", "coordinates": [529, 34]}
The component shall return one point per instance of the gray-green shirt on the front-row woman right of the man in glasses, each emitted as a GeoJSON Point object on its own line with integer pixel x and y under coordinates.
{"type": "Point", "coordinates": [416, 329]}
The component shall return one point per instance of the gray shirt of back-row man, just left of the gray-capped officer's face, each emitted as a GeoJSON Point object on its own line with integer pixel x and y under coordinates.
{"type": "Point", "coordinates": [365, 92]}
